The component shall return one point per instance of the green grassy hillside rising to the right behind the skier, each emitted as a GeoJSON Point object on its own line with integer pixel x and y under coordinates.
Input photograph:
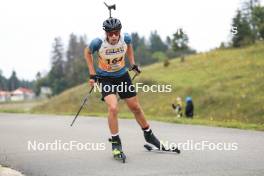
{"type": "Point", "coordinates": [226, 86]}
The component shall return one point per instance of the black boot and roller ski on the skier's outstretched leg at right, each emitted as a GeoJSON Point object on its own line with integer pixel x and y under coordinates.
{"type": "Point", "coordinates": [158, 147]}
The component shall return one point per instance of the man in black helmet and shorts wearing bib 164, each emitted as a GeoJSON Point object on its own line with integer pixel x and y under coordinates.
{"type": "Point", "coordinates": [112, 72]}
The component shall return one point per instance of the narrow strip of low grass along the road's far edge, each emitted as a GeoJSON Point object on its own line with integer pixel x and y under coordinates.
{"type": "Point", "coordinates": [17, 108]}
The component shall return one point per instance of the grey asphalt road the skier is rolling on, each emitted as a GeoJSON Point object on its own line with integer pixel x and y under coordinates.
{"type": "Point", "coordinates": [17, 131]}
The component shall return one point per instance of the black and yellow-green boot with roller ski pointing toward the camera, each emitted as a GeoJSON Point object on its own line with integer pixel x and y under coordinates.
{"type": "Point", "coordinates": [117, 151]}
